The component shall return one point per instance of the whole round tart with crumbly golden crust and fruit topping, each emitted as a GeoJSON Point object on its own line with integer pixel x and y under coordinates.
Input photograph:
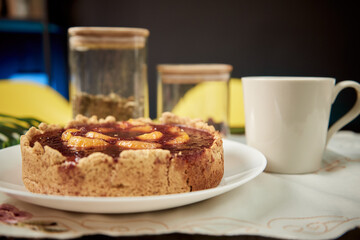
{"type": "Point", "coordinates": [138, 157]}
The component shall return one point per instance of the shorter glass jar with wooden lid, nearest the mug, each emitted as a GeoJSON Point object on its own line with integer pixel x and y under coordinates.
{"type": "Point", "coordinates": [195, 91]}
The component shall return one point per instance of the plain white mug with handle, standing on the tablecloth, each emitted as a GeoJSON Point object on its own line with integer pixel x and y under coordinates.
{"type": "Point", "coordinates": [287, 119]}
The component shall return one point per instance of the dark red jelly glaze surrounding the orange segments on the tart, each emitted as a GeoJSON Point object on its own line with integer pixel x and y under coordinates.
{"type": "Point", "coordinates": [199, 140]}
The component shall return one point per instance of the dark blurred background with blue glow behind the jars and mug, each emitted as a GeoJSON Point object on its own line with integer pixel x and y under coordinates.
{"type": "Point", "coordinates": [258, 37]}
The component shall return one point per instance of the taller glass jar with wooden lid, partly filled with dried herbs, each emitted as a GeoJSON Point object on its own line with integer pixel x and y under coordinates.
{"type": "Point", "coordinates": [108, 67]}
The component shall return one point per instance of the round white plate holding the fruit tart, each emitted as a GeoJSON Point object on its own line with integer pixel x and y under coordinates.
{"type": "Point", "coordinates": [242, 163]}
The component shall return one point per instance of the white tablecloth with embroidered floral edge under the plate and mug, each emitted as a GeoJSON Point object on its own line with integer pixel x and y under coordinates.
{"type": "Point", "coordinates": [322, 205]}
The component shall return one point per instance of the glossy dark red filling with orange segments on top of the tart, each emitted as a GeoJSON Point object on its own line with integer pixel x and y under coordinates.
{"type": "Point", "coordinates": [81, 140]}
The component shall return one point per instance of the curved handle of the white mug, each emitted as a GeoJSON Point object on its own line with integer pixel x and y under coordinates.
{"type": "Point", "coordinates": [351, 114]}
